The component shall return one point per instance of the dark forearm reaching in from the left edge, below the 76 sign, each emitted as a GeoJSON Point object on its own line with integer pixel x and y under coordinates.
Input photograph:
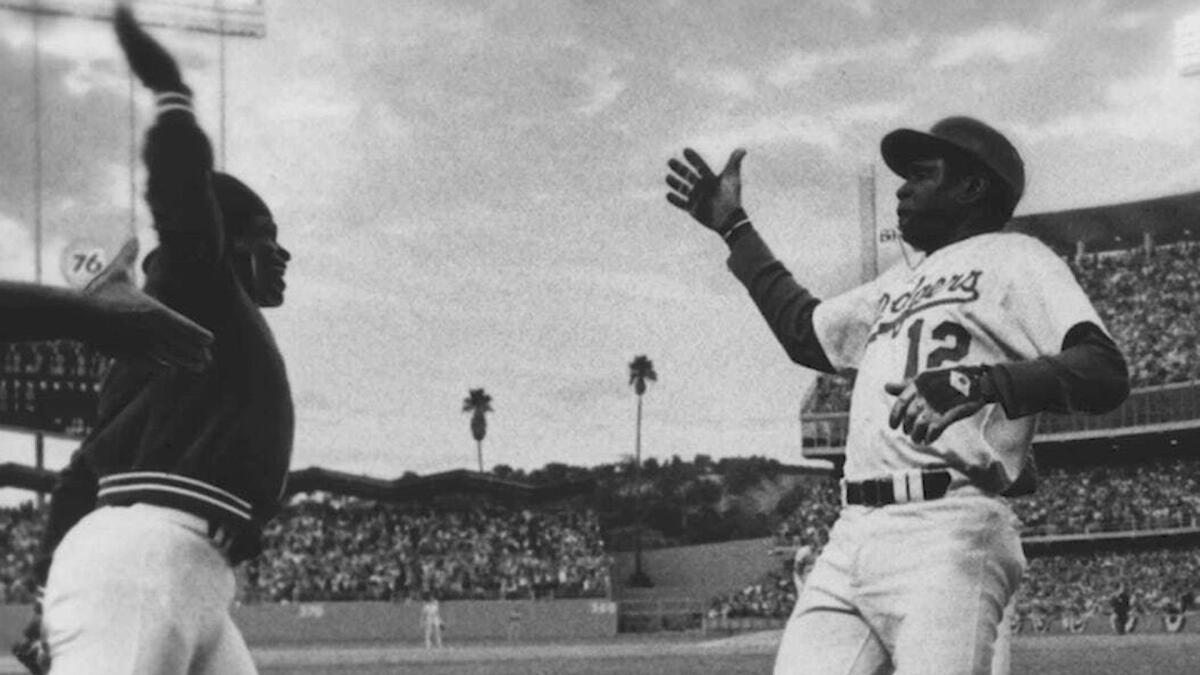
{"type": "Point", "coordinates": [32, 312]}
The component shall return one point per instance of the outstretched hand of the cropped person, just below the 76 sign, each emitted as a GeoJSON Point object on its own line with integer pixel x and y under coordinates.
{"type": "Point", "coordinates": [136, 325]}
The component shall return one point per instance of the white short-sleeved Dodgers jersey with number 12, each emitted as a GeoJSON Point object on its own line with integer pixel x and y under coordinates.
{"type": "Point", "coordinates": [993, 298]}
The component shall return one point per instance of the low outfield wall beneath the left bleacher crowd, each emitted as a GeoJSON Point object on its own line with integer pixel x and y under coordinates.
{"type": "Point", "coordinates": [397, 623]}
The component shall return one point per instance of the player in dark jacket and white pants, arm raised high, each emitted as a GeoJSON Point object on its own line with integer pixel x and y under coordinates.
{"type": "Point", "coordinates": [184, 469]}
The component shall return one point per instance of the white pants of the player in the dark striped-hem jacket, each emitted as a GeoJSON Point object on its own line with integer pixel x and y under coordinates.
{"type": "Point", "coordinates": [142, 590]}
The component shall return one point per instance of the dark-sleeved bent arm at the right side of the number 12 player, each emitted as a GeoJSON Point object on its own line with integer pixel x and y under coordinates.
{"type": "Point", "coordinates": [1090, 377]}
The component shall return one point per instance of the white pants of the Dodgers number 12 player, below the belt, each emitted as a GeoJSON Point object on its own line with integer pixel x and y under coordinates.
{"type": "Point", "coordinates": [909, 589]}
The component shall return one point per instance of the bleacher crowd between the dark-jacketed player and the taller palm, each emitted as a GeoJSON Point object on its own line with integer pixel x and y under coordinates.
{"type": "Point", "coordinates": [341, 548]}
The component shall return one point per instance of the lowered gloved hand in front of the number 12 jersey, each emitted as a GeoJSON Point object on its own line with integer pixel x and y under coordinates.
{"type": "Point", "coordinates": [927, 405]}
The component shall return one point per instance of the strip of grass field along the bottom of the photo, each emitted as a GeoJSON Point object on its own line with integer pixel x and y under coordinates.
{"type": "Point", "coordinates": [1066, 655]}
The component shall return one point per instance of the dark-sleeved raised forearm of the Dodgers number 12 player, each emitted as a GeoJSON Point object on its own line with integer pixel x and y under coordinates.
{"type": "Point", "coordinates": [787, 306]}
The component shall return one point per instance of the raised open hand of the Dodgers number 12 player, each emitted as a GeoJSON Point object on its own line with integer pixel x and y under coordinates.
{"type": "Point", "coordinates": [710, 199]}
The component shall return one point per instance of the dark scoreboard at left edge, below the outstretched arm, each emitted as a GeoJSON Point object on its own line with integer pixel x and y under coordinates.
{"type": "Point", "coordinates": [52, 387]}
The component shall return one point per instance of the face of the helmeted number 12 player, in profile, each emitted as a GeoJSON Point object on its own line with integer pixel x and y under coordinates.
{"type": "Point", "coordinates": [928, 214]}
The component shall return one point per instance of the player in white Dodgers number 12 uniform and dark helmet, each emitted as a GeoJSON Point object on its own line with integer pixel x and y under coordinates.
{"type": "Point", "coordinates": [956, 357]}
